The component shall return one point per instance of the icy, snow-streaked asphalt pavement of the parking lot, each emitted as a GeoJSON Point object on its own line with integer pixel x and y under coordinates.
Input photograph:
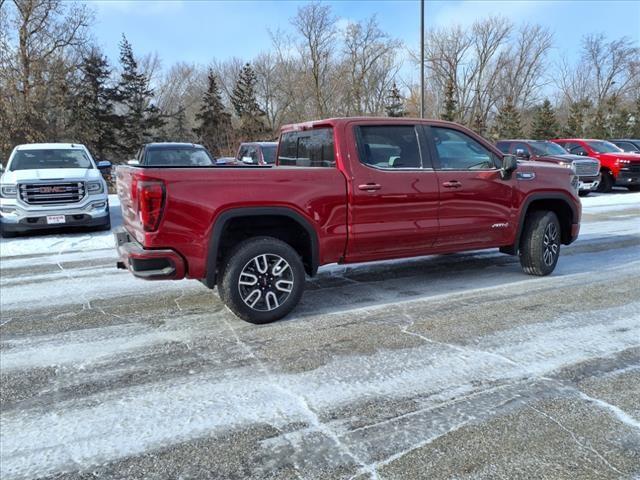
{"type": "Point", "coordinates": [456, 366]}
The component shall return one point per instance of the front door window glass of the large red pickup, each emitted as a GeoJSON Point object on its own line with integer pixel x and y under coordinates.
{"type": "Point", "coordinates": [458, 151]}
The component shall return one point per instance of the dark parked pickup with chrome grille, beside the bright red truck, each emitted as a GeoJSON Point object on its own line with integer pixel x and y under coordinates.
{"type": "Point", "coordinates": [587, 169]}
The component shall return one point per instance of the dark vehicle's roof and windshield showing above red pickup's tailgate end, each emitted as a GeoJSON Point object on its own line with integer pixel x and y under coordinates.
{"type": "Point", "coordinates": [168, 154]}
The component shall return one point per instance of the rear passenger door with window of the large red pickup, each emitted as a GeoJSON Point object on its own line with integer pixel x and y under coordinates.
{"type": "Point", "coordinates": [393, 191]}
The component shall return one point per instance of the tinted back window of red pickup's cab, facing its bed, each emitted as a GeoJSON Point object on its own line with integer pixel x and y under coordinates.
{"type": "Point", "coordinates": [308, 148]}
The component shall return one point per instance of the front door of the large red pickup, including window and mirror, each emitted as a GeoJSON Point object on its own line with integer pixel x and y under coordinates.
{"type": "Point", "coordinates": [475, 202]}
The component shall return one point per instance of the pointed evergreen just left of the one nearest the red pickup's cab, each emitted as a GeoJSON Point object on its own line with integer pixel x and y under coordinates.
{"type": "Point", "coordinates": [213, 123]}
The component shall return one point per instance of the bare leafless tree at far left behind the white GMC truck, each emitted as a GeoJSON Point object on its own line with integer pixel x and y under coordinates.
{"type": "Point", "coordinates": [37, 62]}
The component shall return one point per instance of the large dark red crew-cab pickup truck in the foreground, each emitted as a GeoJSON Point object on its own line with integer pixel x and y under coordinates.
{"type": "Point", "coordinates": [344, 190]}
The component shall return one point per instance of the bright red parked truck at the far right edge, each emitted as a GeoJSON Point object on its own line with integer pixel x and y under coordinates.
{"type": "Point", "coordinates": [617, 167]}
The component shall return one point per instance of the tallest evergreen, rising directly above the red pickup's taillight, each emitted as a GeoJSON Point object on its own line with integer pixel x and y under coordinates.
{"type": "Point", "coordinates": [140, 119]}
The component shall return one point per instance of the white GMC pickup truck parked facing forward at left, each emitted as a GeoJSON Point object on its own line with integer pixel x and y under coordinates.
{"type": "Point", "coordinates": [49, 185]}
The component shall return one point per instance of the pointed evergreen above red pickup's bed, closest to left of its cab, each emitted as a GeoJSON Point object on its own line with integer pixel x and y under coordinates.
{"type": "Point", "coordinates": [245, 104]}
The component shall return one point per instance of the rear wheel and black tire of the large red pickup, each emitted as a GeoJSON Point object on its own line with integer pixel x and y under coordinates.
{"type": "Point", "coordinates": [249, 259]}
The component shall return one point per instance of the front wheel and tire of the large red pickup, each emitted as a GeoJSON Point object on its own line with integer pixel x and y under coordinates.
{"type": "Point", "coordinates": [539, 245]}
